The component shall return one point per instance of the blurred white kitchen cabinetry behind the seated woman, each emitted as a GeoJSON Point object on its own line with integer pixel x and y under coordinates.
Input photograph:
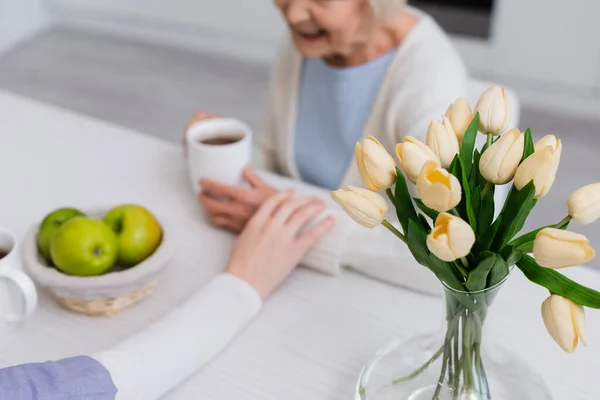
{"type": "Point", "coordinates": [548, 50]}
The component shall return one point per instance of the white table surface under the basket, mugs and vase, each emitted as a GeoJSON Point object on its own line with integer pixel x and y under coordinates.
{"type": "Point", "coordinates": [312, 337]}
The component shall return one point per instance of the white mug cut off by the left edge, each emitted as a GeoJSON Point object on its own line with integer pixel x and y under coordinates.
{"type": "Point", "coordinates": [18, 296]}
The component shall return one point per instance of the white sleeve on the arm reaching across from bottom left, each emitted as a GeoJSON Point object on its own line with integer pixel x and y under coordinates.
{"type": "Point", "coordinates": [152, 362]}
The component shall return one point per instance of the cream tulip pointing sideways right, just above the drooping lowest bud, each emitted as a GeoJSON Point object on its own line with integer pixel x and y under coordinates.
{"type": "Point", "coordinates": [556, 248]}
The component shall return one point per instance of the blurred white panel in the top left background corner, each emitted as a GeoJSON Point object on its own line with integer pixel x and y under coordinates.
{"type": "Point", "coordinates": [18, 20]}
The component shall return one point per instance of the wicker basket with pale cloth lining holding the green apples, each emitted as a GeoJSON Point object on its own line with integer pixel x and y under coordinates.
{"type": "Point", "coordinates": [104, 295]}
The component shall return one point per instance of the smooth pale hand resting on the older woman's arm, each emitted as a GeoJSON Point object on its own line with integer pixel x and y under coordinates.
{"type": "Point", "coordinates": [274, 241]}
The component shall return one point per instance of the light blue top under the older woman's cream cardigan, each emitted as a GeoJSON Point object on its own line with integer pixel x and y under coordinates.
{"type": "Point", "coordinates": [333, 107]}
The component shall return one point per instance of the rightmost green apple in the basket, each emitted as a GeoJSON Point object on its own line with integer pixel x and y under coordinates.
{"type": "Point", "coordinates": [138, 233]}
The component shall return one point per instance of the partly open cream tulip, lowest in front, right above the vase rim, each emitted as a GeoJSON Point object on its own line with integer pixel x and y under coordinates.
{"type": "Point", "coordinates": [451, 238]}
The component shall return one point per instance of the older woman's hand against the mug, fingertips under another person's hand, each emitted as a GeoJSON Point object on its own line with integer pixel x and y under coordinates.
{"type": "Point", "coordinates": [230, 207]}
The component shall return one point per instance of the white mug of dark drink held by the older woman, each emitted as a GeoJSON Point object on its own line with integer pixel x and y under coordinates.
{"type": "Point", "coordinates": [221, 162]}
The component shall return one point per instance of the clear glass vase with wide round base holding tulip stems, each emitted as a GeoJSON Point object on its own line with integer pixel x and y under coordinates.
{"type": "Point", "coordinates": [456, 363]}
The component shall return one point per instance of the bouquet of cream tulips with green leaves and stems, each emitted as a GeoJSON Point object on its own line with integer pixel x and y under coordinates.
{"type": "Point", "coordinates": [451, 230]}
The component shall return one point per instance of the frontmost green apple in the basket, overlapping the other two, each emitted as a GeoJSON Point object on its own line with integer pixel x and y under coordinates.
{"type": "Point", "coordinates": [84, 247]}
